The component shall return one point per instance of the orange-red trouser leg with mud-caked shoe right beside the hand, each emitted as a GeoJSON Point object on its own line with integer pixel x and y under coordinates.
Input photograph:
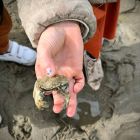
{"type": "Point", "coordinates": [92, 62]}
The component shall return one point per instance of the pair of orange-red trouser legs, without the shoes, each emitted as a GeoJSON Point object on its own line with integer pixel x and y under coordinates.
{"type": "Point", "coordinates": [107, 19]}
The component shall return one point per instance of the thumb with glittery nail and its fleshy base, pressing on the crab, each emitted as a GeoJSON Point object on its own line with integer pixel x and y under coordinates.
{"type": "Point", "coordinates": [50, 43]}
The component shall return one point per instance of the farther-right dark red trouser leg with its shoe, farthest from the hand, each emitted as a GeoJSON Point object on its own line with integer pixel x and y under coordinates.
{"type": "Point", "coordinates": [111, 41]}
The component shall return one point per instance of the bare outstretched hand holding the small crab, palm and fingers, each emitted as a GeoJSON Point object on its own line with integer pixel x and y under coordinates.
{"type": "Point", "coordinates": [60, 49]}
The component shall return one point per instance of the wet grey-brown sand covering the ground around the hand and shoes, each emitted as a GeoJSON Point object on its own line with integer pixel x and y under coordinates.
{"type": "Point", "coordinates": [111, 113]}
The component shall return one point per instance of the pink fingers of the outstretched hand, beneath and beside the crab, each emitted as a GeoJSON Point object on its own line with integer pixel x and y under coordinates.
{"type": "Point", "coordinates": [74, 87]}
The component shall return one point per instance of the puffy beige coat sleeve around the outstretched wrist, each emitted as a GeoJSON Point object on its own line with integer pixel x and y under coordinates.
{"type": "Point", "coordinates": [37, 15]}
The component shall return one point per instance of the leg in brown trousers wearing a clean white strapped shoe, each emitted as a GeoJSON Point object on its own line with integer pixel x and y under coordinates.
{"type": "Point", "coordinates": [11, 50]}
